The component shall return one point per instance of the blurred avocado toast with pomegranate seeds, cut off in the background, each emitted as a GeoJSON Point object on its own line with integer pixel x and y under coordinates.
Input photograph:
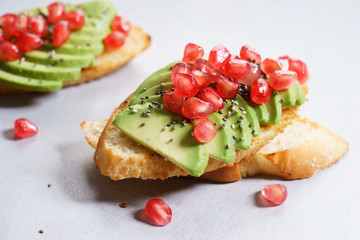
{"type": "Point", "coordinates": [48, 48]}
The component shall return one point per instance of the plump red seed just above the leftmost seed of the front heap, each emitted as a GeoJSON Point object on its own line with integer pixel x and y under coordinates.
{"type": "Point", "coordinates": [185, 85]}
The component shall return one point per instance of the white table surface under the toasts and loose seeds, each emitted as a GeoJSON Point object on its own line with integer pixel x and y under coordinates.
{"type": "Point", "coordinates": [82, 204]}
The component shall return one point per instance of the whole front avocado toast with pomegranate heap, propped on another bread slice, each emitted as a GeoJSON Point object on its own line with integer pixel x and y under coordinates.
{"type": "Point", "coordinates": [220, 118]}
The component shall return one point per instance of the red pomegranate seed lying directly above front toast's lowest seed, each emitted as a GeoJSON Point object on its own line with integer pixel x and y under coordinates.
{"type": "Point", "coordinates": [196, 108]}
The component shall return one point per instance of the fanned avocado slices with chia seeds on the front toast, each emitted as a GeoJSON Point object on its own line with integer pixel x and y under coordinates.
{"type": "Point", "coordinates": [237, 123]}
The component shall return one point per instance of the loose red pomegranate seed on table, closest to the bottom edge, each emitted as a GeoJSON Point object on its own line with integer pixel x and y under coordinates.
{"type": "Point", "coordinates": [159, 211]}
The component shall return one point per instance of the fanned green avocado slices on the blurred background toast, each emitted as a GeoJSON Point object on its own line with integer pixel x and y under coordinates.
{"type": "Point", "coordinates": [48, 66]}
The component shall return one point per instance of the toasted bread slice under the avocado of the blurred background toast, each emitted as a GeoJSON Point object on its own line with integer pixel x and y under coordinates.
{"type": "Point", "coordinates": [110, 60]}
